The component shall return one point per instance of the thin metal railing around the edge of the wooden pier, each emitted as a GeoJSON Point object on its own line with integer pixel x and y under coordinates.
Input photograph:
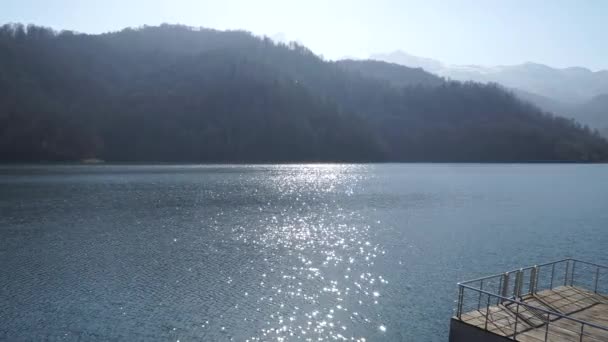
{"type": "Point", "coordinates": [497, 300]}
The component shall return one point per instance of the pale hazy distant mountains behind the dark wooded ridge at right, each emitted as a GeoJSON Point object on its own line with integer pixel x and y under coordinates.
{"type": "Point", "coordinates": [575, 92]}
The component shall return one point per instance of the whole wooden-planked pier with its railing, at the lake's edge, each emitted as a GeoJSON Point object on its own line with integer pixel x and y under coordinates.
{"type": "Point", "coordinates": [574, 310]}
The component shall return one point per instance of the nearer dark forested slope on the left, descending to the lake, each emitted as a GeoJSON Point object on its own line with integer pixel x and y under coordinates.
{"type": "Point", "coordinates": [72, 97]}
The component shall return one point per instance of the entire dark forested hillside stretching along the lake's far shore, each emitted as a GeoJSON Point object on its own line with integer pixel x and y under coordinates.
{"type": "Point", "coordinates": [173, 93]}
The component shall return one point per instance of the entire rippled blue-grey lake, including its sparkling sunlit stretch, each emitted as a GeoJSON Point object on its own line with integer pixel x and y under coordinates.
{"type": "Point", "coordinates": [267, 252]}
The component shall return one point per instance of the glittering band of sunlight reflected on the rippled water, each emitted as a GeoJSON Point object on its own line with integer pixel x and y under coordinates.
{"type": "Point", "coordinates": [331, 277]}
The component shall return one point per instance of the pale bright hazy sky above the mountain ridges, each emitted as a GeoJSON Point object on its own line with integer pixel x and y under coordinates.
{"type": "Point", "coordinates": [488, 32]}
